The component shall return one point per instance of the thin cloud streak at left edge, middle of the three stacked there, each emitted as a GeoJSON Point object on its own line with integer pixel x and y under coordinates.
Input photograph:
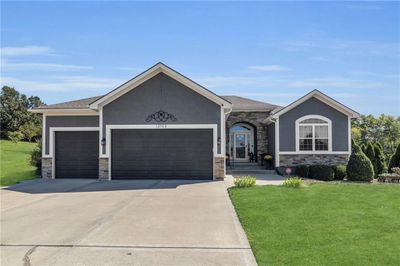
{"type": "Point", "coordinates": [6, 66]}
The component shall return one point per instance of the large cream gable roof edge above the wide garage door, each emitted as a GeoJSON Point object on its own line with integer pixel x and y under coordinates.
{"type": "Point", "coordinates": [151, 72]}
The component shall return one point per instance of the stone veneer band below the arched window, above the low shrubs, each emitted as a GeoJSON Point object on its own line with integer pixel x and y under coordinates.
{"type": "Point", "coordinates": [299, 159]}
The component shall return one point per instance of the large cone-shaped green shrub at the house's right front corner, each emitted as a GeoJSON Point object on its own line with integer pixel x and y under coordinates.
{"type": "Point", "coordinates": [359, 167]}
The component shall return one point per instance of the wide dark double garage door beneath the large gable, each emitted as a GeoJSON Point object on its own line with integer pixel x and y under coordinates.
{"type": "Point", "coordinates": [162, 153]}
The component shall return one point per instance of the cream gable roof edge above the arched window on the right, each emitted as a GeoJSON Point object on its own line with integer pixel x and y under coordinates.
{"type": "Point", "coordinates": [320, 96]}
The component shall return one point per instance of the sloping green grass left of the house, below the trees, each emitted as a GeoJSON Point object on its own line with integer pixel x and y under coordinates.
{"type": "Point", "coordinates": [14, 162]}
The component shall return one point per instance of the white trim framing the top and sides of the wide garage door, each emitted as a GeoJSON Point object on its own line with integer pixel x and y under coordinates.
{"type": "Point", "coordinates": [159, 127]}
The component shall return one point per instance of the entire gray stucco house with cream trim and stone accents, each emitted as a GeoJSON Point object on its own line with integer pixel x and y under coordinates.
{"type": "Point", "coordinates": [161, 124]}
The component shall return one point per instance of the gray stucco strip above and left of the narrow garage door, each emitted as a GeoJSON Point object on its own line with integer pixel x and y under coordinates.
{"type": "Point", "coordinates": [68, 121]}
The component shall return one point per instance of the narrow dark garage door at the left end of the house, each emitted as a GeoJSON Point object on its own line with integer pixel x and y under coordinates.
{"type": "Point", "coordinates": [76, 154]}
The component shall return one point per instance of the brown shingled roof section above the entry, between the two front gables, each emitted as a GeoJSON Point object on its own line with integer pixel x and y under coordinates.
{"type": "Point", "coordinates": [248, 105]}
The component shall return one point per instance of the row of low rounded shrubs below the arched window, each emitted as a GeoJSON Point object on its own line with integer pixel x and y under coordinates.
{"type": "Point", "coordinates": [322, 172]}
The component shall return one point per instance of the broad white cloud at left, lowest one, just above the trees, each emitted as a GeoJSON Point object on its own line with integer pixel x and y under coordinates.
{"type": "Point", "coordinates": [61, 83]}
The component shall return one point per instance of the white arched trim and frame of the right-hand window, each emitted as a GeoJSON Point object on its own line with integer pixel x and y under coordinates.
{"type": "Point", "coordinates": [299, 120]}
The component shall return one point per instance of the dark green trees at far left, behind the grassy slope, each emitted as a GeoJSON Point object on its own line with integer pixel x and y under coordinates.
{"type": "Point", "coordinates": [14, 110]}
